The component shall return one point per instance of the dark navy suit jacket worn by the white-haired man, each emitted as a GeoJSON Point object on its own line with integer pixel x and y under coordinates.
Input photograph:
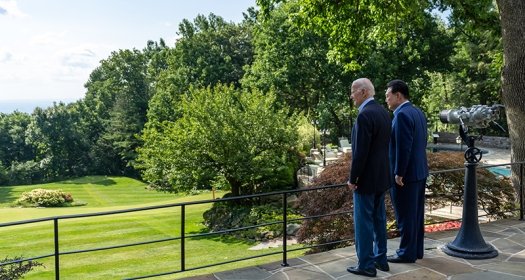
{"type": "Point", "coordinates": [370, 169]}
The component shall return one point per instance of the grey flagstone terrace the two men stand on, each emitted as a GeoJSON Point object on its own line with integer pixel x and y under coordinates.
{"type": "Point", "coordinates": [507, 236]}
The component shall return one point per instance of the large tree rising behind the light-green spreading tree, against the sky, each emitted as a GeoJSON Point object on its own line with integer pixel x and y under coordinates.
{"type": "Point", "coordinates": [209, 51]}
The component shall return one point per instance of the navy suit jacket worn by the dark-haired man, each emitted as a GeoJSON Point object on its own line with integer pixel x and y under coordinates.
{"type": "Point", "coordinates": [408, 144]}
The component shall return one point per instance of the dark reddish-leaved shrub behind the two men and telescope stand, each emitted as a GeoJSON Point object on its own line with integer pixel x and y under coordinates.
{"type": "Point", "coordinates": [496, 196]}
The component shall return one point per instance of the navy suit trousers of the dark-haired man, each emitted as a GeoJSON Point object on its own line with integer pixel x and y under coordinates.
{"type": "Point", "coordinates": [409, 207]}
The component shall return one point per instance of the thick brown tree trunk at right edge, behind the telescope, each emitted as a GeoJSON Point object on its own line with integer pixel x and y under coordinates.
{"type": "Point", "coordinates": [512, 13]}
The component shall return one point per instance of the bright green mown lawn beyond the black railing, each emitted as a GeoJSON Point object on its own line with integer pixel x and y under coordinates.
{"type": "Point", "coordinates": [112, 193]}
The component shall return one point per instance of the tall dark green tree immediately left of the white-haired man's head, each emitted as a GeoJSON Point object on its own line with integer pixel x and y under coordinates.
{"type": "Point", "coordinates": [293, 63]}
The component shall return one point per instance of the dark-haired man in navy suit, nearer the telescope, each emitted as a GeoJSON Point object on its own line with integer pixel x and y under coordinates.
{"type": "Point", "coordinates": [408, 160]}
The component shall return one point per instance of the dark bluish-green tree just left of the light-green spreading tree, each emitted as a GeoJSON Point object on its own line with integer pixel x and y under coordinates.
{"type": "Point", "coordinates": [117, 97]}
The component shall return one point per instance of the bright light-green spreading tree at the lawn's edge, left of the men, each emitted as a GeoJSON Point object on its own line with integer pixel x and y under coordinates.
{"type": "Point", "coordinates": [223, 134]}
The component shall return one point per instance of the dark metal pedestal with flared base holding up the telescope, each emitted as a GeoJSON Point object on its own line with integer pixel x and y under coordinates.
{"type": "Point", "coordinates": [469, 243]}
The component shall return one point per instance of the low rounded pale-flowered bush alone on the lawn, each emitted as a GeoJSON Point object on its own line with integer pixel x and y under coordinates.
{"type": "Point", "coordinates": [45, 198]}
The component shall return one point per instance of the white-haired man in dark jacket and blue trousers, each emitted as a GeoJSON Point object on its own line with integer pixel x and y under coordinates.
{"type": "Point", "coordinates": [370, 177]}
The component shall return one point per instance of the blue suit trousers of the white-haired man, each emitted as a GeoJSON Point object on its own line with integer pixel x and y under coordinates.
{"type": "Point", "coordinates": [370, 229]}
